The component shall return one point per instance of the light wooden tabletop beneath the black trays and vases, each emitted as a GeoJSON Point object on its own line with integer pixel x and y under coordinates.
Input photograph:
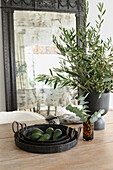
{"type": "Point", "coordinates": [95, 154]}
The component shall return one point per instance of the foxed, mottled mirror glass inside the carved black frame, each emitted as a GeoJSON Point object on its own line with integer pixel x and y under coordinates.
{"type": "Point", "coordinates": [35, 53]}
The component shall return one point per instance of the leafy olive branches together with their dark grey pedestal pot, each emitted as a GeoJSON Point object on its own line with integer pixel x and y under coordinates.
{"type": "Point", "coordinates": [88, 66]}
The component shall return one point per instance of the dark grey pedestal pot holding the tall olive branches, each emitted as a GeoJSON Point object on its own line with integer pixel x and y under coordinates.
{"type": "Point", "coordinates": [95, 103]}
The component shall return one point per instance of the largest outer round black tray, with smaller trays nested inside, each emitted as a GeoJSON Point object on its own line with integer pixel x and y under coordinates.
{"type": "Point", "coordinates": [58, 146]}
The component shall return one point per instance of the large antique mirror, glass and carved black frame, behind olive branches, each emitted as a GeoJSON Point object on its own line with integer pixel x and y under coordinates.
{"type": "Point", "coordinates": [26, 19]}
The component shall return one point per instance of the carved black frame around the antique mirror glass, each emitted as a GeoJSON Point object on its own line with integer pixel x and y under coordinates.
{"type": "Point", "coordinates": [7, 9]}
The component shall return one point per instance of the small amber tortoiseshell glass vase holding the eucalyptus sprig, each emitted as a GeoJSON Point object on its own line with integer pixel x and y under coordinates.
{"type": "Point", "coordinates": [88, 130]}
